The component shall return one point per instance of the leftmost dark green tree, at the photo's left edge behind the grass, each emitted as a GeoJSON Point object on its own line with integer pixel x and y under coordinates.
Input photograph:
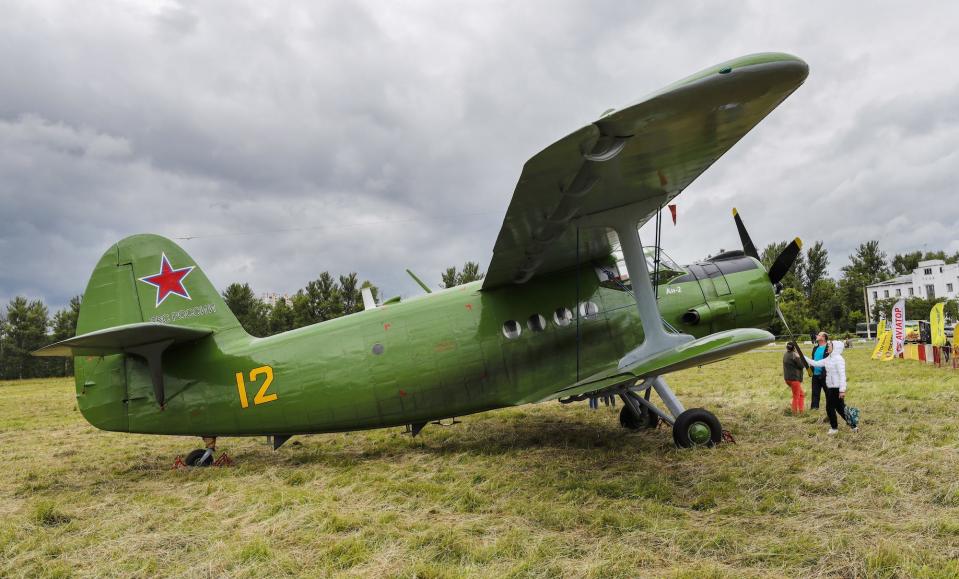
{"type": "Point", "coordinates": [26, 330]}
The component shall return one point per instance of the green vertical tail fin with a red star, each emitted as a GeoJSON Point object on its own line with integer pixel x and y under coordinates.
{"type": "Point", "coordinates": [147, 278]}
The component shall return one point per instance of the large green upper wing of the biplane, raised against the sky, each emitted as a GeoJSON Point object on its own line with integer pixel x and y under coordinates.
{"type": "Point", "coordinates": [645, 155]}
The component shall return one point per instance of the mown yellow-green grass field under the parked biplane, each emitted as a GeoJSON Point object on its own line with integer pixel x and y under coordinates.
{"type": "Point", "coordinates": [547, 490]}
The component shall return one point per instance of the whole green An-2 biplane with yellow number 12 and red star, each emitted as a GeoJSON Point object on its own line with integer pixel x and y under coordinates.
{"type": "Point", "coordinates": [557, 316]}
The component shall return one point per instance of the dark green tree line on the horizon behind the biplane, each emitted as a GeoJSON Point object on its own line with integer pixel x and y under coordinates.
{"type": "Point", "coordinates": [810, 301]}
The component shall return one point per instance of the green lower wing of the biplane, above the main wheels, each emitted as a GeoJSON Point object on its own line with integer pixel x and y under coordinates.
{"type": "Point", "coordinates": [705, 350]}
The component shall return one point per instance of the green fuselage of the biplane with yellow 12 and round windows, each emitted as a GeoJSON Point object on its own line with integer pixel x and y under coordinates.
{"type": "Point", "coordinates": [434, 356]}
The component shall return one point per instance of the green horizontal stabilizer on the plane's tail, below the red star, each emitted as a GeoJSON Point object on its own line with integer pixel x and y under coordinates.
{"type": "Point", "coordinates": [121, 339]}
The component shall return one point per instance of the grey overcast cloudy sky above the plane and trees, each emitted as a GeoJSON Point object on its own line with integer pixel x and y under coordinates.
{"type": "Point", "coordinates": [285, 139]}
